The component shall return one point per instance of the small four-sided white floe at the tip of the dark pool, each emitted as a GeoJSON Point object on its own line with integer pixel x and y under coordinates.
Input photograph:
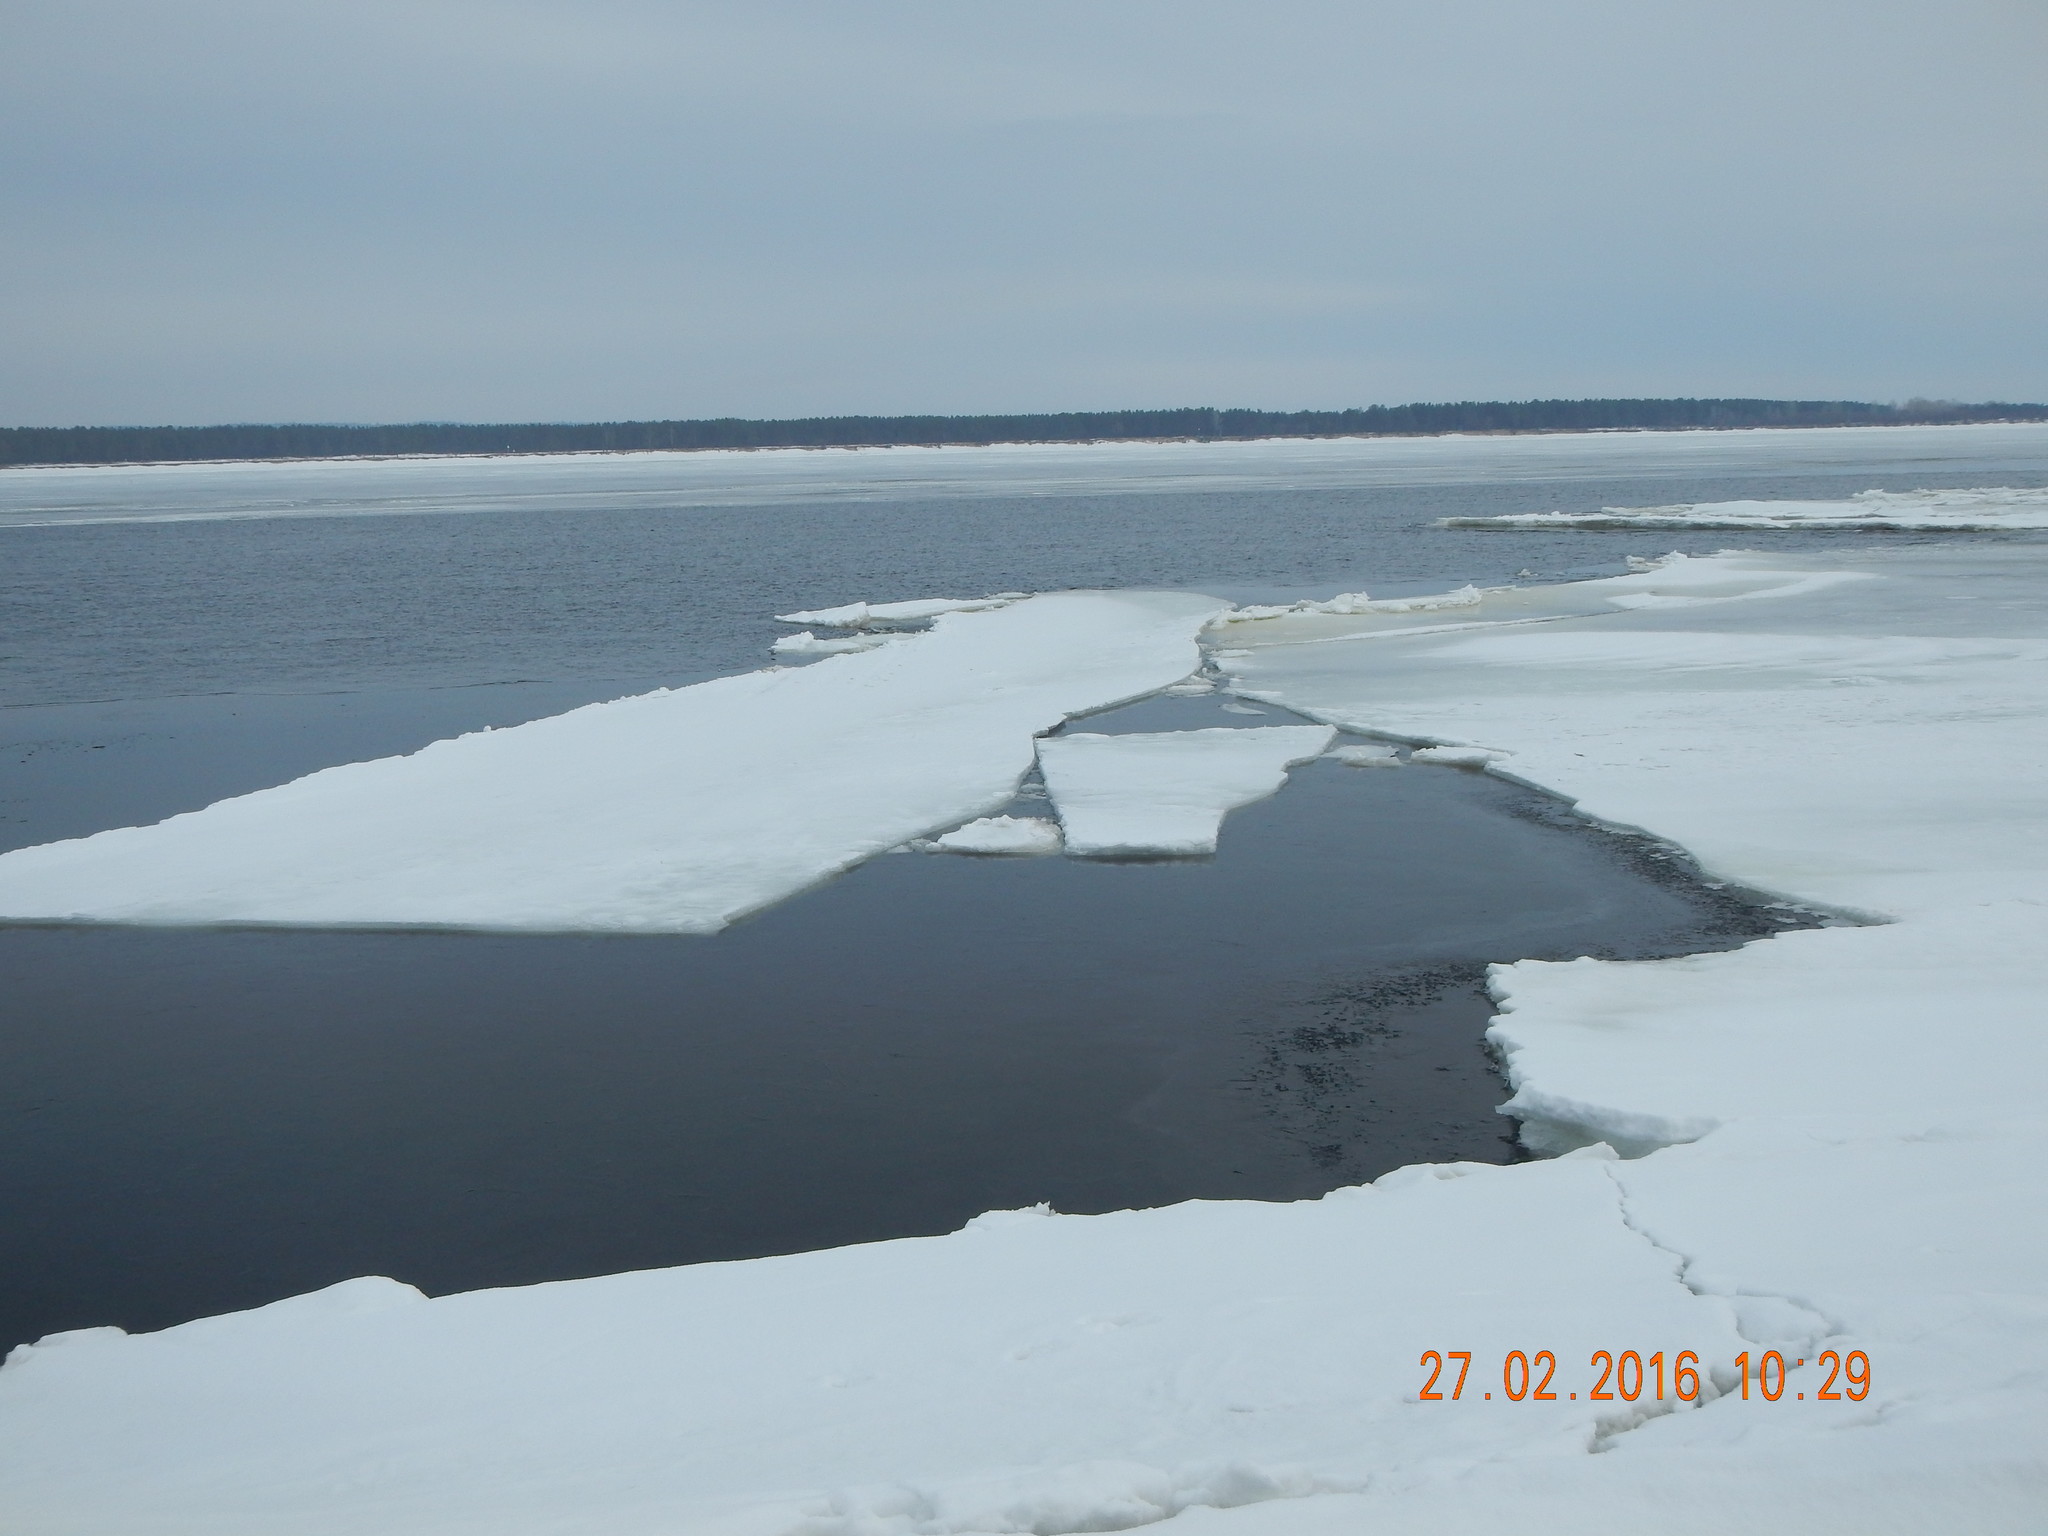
{"type": "Point", "coordinates": [1164, 794]}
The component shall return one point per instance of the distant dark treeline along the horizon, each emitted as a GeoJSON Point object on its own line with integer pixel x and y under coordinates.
{"type": "Point", "coordinates": [101, 445]}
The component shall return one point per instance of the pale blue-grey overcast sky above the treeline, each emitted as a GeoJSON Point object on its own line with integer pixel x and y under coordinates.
{"type": "Point", "coordinates": [589, 210]}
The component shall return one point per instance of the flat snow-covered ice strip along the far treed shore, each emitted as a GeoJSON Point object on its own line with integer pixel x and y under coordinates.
{"type": "Point", "coordinates": [105, 495]}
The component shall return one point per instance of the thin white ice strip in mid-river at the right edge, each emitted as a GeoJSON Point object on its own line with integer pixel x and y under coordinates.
{"type": "Point", "coordinates": [1975, 511]}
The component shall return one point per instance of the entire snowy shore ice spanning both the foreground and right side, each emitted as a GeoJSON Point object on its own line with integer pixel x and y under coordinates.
{"type": "Point", "coordinates": [1820, 1150]}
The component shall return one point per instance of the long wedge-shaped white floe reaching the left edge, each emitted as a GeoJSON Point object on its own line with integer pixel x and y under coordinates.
{"type": "Point", "coordinates": [669, 812]}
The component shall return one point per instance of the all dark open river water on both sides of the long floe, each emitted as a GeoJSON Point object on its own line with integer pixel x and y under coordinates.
{"type": "Point", "coordinates": [200, 1121]}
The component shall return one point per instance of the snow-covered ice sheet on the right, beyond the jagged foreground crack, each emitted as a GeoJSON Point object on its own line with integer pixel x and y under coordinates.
{"type": "Point", "coordinates": [1861, 1107]}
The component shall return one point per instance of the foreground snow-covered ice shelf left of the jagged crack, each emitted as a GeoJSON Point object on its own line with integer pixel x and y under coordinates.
{"type": "Point", "coordinates": [1029, 1373]}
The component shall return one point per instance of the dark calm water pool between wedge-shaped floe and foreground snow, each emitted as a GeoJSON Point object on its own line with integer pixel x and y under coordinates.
{"type": "Point", "coordinates": [200, 1121]}
